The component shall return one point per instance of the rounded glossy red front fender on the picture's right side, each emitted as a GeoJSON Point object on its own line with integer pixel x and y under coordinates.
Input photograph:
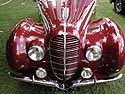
{"type": "Point", "coordinates": [106, 34]}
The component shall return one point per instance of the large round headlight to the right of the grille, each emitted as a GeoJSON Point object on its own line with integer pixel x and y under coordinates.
{"type": "Point", "coordinates": [93, 53]}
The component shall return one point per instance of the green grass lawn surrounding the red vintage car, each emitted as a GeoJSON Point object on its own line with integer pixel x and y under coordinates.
{"type": "Point", "coordinates": [12, 13]}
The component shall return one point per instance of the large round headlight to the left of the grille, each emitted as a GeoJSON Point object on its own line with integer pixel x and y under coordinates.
{"type": "Point", "coordinates": [36, 53]}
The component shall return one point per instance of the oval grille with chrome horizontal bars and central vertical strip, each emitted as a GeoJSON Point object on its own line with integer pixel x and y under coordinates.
{"type": "Point", "coordinates": [64, 70]}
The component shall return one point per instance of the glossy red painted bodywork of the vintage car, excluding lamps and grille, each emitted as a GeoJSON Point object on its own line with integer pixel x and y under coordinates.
{"type": "Point", "coordinates": [104, 33]}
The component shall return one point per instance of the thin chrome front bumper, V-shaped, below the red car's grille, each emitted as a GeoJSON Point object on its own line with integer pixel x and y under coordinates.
{"type": "Point", "coordinates": [56, 84]}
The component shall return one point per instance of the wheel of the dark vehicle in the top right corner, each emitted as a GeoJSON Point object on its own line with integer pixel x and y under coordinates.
{"type": "Point", "coordinates": [118, 6]}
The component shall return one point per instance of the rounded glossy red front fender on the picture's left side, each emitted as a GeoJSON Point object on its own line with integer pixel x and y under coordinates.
{"type": "Point", "coordinates": [26, 33]}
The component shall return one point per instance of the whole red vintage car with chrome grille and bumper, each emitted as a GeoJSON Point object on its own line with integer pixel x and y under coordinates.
{"type": "Point", "coordinates": [67, 49]}
